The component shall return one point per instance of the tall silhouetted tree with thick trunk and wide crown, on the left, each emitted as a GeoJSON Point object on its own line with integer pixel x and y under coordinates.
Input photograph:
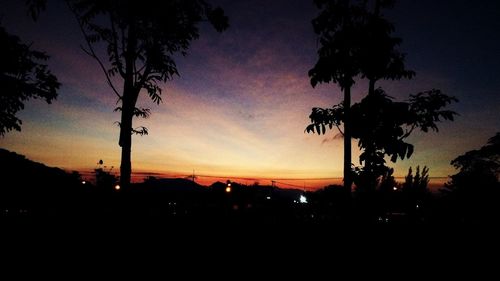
{"type": "Point", "coordinates": [140, 37]}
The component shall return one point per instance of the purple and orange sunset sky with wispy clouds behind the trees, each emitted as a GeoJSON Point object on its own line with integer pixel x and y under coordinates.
{"type": "Point", "coordinates": [242, 101]}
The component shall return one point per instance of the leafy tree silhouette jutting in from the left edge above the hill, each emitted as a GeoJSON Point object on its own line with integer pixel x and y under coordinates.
{"type": "Point", "coordinates": [22, 77]}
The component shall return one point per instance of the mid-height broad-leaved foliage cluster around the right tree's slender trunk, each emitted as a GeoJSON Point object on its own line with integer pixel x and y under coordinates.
{"type": "Point", "coordinates": [381, 125]}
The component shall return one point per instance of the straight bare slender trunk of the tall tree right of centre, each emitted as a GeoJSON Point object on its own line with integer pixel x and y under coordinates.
{"type": "Point", "coordinates": [347, 139]}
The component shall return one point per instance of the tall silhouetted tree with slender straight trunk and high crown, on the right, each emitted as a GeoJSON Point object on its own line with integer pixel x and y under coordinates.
{"type": "Point", "coordinates": [354, 40]}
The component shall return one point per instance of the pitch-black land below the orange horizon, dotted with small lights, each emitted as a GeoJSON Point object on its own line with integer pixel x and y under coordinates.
{"type": "Point", "coordinates": [52, 224]}
